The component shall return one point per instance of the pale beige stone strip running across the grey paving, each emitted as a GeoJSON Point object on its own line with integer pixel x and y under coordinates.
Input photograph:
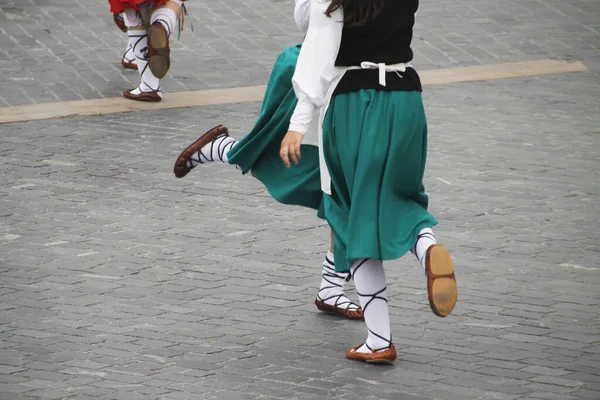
{"type": "Point", "coordinates": [199, 98]}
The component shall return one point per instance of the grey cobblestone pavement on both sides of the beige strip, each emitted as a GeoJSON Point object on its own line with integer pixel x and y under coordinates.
{"type": "Point", "coordinates": [118, 281]}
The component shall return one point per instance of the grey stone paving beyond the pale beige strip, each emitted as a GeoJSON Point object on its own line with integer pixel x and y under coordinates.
{"type": "Point", "coordinates": [70, 49]}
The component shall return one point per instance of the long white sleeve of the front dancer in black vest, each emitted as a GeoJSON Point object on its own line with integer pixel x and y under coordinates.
{"type": "Point", "coordinates": [316, 63]}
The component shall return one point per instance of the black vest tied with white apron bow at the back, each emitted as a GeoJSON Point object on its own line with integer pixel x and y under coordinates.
{"type": "Point", "coordinates": [385, 39]}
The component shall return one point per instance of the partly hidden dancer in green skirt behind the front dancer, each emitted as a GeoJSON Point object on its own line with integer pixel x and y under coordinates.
{"type": "Point", "coordinates": [258, 153]}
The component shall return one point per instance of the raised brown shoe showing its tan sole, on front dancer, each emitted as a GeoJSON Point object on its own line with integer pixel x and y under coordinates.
{"type": "Point", "coordinates": [441, 283]}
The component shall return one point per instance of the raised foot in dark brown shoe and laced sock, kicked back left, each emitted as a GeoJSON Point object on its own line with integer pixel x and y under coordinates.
{"type": "Point", "coordinates": [211, 146]}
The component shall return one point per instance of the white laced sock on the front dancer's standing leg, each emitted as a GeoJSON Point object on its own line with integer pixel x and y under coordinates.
{"type": "Point", "coordinates": [369, 279]}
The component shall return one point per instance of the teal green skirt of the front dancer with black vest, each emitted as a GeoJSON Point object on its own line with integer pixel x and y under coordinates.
{"type": "Point", "coordinates": [375, 145]}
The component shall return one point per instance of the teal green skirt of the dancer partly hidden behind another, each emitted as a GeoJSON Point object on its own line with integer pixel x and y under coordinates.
{"type": "Point", "coordinates": [258, 151]}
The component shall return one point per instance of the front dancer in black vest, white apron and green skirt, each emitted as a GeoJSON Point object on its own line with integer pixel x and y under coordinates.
{"type": "Point", "coordinates": [373, 151]}
